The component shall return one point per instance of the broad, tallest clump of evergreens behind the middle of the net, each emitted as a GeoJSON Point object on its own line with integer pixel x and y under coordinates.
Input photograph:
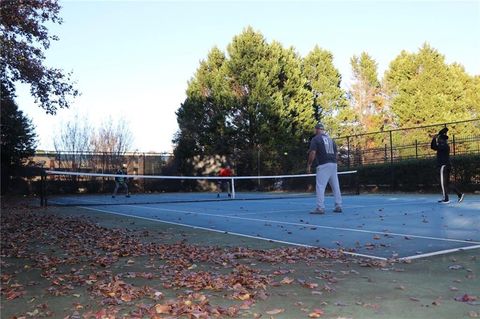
{"type": "Point", "coordinates": [251, 106]}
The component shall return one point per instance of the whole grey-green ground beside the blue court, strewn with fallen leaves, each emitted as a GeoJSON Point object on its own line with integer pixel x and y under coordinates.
{"type": "Point", "coordinates": [72, 263]}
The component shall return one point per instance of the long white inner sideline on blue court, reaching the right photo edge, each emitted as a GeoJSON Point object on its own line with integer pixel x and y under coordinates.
{"type": "Point", "coordinates": [307, 225]}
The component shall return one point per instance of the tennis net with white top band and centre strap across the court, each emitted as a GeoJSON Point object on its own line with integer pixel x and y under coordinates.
{"type": "Point", "coordinates": [80, 189]}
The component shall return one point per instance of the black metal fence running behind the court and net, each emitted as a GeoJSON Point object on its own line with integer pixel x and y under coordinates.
{"type": "Point", "coordinates": [354, 151]}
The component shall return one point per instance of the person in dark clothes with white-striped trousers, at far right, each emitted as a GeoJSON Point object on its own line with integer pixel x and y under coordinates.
{"type": "Point", "coordinates": [440, 144]}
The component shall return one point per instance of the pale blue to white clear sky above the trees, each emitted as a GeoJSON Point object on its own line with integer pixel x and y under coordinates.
{"type": "Point", "coordinates": [133, 59]}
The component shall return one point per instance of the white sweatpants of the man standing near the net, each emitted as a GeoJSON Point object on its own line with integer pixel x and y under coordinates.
{"type": "Point", "coordinates": [327, 173]}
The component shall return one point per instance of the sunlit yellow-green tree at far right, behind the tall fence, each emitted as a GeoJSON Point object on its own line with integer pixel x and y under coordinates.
{"type": "Point", "coordinates": [423, 89]}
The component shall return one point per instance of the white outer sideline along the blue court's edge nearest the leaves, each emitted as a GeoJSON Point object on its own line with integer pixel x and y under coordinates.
{"type": "Point", "coordinates": [226, 232]}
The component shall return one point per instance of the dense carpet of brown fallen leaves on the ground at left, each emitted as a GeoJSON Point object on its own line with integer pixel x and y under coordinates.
{"type": "Point", "coordinates": [75, 252]}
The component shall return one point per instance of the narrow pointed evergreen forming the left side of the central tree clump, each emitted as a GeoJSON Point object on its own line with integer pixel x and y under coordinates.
{"type": "Point", "coordinates": [202, 118]}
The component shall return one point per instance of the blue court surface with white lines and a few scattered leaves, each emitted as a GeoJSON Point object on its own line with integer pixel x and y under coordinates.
{"type": "Point", "coordinates": [406, 226]}
